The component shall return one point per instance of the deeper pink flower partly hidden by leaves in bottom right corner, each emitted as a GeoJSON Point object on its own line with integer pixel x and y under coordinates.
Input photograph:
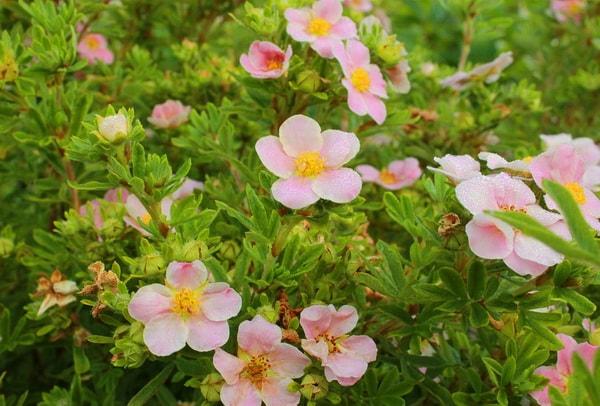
{"type": "Point", "coordinates": [558, 375]}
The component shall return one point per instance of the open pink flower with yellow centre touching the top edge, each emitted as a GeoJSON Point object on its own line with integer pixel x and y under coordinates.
{"type": "Point", "coordinates": [323, 26]}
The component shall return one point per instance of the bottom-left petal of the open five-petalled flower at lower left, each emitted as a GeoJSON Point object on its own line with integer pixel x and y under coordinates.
{"type": "Point", "coordinates": [165, 334]}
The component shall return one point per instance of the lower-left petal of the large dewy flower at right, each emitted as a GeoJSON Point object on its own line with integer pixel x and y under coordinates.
{"type": "Point", "coordinates": [489, 238]}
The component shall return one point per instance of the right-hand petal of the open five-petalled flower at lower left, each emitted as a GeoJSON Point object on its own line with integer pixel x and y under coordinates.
{"type": "Point", "coordinates": [220, 302]}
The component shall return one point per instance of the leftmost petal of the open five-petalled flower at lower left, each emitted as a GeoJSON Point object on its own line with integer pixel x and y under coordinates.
{"type": "Point", "coordinates": [150, 301]}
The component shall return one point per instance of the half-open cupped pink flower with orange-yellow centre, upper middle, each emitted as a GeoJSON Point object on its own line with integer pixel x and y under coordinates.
{"type": "Point", "coordinates": [266, 60]}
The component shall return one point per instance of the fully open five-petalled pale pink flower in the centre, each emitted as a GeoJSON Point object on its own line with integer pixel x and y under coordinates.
{"type": "Point", "coordinates": [309, 163]}
